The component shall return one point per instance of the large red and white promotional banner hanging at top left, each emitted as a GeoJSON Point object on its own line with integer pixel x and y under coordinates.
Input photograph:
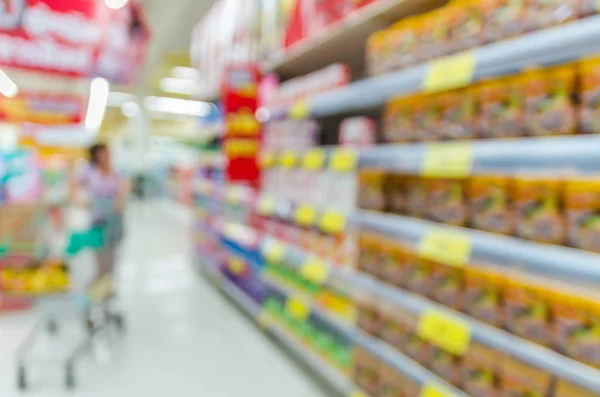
{"type": "Point", "coordinates": [71, 37]}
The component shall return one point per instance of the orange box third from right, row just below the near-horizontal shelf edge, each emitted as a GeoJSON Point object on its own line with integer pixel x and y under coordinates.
{"type": "Point", "coordinates": [489, 203]}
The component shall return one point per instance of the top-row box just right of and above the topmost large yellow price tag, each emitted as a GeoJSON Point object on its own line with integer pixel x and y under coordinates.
{"type": "Point", "coordinates": [503, 19]}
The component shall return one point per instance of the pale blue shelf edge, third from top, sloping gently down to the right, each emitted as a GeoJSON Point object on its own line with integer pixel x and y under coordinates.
{"type": "Point", "coordinates": [545, 259]}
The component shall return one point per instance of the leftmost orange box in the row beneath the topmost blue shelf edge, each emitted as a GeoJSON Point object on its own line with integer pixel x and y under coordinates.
{"type": "Point", "coordinates": [398, 121]}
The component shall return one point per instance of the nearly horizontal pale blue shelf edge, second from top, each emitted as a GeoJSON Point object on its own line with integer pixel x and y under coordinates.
{"type": "Point", "coordinates": [531, 154]}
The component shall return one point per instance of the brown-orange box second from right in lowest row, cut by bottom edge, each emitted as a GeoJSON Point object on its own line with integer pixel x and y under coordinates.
{"type": "Point", "coordinates": [519, 379]}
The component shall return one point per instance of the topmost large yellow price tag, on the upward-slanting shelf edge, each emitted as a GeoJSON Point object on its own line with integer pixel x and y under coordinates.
{"type": "Point", "coordinates": [450, 72]}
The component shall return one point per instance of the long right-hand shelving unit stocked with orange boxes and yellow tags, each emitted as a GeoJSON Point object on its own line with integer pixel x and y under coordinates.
{"type": "Point", "coordinates": [447, 260]}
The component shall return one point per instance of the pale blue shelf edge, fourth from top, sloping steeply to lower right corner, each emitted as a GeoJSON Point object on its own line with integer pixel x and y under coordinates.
{"type": "Point", "coordinates": [521, 349]}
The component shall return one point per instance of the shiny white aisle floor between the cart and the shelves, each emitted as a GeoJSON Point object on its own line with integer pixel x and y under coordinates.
{"type": "Point", "coordinates": [184, 339]}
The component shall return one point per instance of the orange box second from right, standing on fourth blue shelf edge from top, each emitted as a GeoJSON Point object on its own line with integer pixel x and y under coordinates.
{"type": "Point", "coordinates": [527, 311]}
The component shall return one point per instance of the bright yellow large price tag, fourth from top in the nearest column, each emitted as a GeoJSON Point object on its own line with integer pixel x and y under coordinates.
{"type": "Point", "coordinates": [445, 331]}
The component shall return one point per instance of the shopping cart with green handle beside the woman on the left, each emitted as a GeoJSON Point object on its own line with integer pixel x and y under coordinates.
{"type": "Point", "coordinates": [68, 294]}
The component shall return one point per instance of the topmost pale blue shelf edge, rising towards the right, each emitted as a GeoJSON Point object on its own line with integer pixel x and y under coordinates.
{"type": "Point", "coordinates": [550, 46]}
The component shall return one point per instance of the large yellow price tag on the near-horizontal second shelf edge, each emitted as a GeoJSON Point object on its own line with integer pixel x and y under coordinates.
{"type": "Point", "coordinates": [450, 160]}
